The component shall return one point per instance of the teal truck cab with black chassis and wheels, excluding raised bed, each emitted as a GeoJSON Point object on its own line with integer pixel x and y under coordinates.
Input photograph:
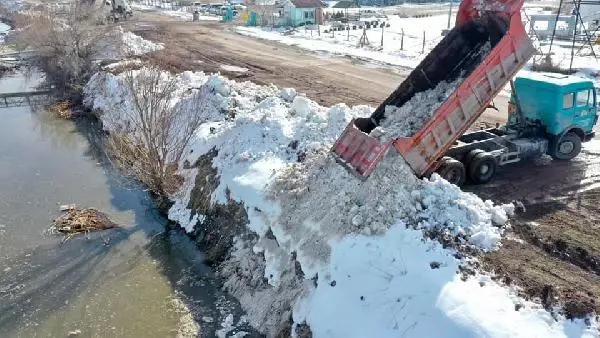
{"type": "Point", "coordinates": [548, 114]}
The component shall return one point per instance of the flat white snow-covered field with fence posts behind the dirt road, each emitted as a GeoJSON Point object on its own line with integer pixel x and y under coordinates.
{"type": "Point", "coordinates": [343, 44]}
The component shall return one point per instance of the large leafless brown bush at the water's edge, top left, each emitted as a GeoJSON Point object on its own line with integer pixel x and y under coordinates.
{"type": "Point", "coordinates": [66, 46]}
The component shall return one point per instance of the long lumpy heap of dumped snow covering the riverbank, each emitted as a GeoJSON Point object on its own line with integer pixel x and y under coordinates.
{"type": "Point", "coordinates": [345, 256]}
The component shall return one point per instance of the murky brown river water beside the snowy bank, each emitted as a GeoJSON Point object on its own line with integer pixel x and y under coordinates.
{"type": "Point", "coordinates": [135, 281]}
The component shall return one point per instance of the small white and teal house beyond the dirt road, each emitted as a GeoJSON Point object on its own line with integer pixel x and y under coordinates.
{"type": "Point", "coordinates": [302, 12]}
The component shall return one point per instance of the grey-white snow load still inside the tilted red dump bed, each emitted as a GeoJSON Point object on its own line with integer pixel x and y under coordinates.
{"type": "Point", "coordinates": [414, 114]}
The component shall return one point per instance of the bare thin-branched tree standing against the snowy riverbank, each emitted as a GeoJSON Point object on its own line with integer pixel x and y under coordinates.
{"type": "Point", "coordinates": [150, 136]}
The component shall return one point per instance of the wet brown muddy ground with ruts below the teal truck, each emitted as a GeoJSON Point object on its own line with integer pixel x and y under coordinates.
{"type": "Point", "coordinates": [552, 252]}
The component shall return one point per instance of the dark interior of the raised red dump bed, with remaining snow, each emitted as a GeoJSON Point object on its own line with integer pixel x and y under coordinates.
{"type": "Point", "coordinates": [441, 72]}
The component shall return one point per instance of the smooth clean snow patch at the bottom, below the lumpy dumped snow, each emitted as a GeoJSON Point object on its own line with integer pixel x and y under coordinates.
{"type": "Point", "coordinates": [383, 286]}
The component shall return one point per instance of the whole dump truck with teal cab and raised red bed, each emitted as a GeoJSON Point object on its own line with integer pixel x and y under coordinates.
{"type": "Point", "coordinates": [549, 114]}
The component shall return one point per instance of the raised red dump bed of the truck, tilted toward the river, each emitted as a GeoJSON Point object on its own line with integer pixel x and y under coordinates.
{"type": "Point", "coordinates": [485, 77]}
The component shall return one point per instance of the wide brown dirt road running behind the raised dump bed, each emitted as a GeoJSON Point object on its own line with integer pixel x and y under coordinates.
{"type": "Point", "coordinates": [328, 80]}
